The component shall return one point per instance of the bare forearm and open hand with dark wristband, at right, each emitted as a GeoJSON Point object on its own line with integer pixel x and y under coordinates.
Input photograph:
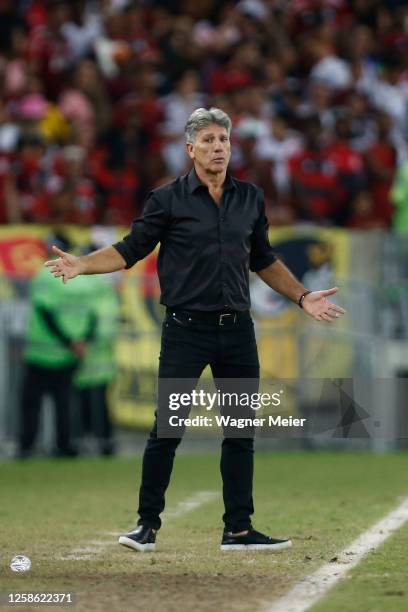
{"type": "Point", "coordinates": [315, 303]}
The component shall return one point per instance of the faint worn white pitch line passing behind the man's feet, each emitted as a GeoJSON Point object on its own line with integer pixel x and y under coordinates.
{"type": "Point", "coordinates": [191, 503]}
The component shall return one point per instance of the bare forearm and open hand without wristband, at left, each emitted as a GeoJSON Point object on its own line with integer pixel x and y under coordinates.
{"type": "Point", "coordinates": [101, 261]}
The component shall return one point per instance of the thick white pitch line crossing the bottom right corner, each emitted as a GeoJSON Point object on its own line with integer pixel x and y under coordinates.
{"type": "Point", "coordinates": [311, 589]}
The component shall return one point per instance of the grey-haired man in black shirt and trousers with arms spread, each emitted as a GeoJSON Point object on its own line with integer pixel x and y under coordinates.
{"type": "Point", "coordinates": [212, 229]}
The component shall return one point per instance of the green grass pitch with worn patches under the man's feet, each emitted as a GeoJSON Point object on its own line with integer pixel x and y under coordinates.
{"type": "Point", "coordinates": [51, 509]}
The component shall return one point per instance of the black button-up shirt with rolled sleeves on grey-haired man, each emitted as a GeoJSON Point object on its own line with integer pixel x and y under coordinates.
{"type": "Point", "coordinates": [206, 250]}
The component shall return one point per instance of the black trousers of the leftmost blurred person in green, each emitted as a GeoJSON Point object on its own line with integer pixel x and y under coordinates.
{"type": "Point", "coordinates": [38, 382]}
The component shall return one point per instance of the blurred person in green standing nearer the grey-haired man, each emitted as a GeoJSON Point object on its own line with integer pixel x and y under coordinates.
{"type": "Point", "coordinates": [97, 369]}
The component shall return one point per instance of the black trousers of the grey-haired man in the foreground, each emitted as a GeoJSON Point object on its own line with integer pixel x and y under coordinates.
{"type": "Point", "coordinates": [186, 349]}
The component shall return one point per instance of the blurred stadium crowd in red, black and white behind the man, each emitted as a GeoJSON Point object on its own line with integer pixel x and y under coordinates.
{"type": "Point", "coordinates": [94, 96]}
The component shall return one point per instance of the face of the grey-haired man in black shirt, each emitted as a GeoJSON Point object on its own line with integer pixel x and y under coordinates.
{"type": "Point", "coordinates": [211, 150]}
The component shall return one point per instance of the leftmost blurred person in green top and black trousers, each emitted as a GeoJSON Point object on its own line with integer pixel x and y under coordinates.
{"type": "Point", "coordinates": [60, 327]}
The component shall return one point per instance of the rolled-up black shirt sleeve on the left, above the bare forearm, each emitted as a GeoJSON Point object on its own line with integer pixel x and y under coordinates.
{"type": "Point", "coordinates": [147, 231]}
